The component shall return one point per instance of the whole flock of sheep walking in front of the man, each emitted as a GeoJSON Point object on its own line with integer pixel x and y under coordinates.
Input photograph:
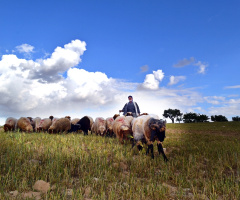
{"type": "Point", "coordinates": [143, 129]}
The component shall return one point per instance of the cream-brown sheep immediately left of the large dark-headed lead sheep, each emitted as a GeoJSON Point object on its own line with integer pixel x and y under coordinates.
{"type": "Point", "coordinates": [122, 127]}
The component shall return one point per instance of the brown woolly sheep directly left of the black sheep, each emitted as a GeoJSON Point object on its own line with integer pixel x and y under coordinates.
{"type": "Point", "coordinates": [60, 125]}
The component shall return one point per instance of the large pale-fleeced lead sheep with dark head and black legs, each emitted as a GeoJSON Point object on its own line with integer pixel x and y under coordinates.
{"type": "Point", "coordinates": [148, 128]}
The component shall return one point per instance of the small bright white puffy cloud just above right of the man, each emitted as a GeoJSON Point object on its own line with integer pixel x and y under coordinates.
{"type": "Point", "coordinates": [152, 81]}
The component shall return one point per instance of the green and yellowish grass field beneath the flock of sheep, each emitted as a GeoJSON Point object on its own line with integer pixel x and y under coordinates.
{"type": "Point", "coordinates": [204, 163]}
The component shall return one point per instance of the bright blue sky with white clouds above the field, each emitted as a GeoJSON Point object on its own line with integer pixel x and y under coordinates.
{"type": "Point", "coordinates": [82, 58]}
